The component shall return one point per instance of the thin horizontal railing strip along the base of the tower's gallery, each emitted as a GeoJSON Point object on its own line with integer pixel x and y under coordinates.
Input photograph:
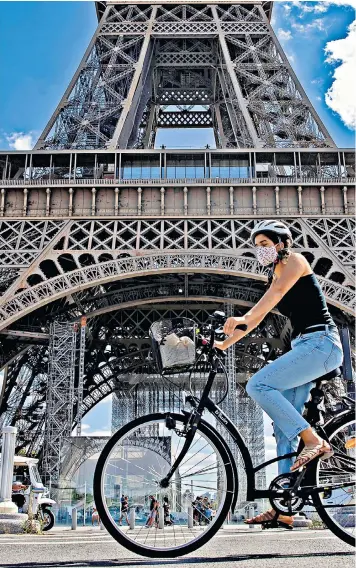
{"type": "Point", "coordinates": [179, 181]}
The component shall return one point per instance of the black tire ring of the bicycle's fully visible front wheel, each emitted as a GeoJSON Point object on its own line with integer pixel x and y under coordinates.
{"type": "Point", "coordinates": [119, 536]}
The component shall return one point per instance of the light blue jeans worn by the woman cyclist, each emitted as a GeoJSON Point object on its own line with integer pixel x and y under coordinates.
{"type": "Point", "coordinates": [283, 387]}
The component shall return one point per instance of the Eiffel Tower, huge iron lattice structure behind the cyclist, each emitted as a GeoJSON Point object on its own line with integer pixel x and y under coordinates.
{"type": "Point", "coordinates": [100, 226]}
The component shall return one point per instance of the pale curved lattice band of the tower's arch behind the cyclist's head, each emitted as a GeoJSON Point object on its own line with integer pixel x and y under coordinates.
{"type": "Point", "coordinates": [150, 264]}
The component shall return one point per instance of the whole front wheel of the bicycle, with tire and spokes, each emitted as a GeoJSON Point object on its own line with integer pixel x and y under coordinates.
{"type": "Point", "coordinates": [199, 495]}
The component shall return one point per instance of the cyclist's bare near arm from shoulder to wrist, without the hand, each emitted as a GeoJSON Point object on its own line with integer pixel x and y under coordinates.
{"type": "Point", "coordinates": [290, 274]}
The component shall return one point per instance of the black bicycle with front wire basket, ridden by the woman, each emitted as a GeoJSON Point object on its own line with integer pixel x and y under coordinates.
{"type": "Point", "coordinates": [186, 458]}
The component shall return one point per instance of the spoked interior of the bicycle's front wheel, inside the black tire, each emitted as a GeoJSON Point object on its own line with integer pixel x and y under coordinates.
{"type": "Point", "coordinates": [196, 492]}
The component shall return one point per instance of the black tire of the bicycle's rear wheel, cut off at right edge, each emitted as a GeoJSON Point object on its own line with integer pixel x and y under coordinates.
{"type": "Point", "coordinates": [330, 428]}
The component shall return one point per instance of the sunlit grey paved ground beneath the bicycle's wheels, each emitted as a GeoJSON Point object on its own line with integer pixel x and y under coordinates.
{"type": "Point", "coordinates": [230, 548]}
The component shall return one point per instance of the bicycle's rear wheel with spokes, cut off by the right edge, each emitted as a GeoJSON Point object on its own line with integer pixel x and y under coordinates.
{"type": "Point", "coordinates": [336, 507]}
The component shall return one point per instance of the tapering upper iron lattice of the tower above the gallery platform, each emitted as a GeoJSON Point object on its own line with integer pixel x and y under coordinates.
{"type": "Point", "coordinates": [183, 65]}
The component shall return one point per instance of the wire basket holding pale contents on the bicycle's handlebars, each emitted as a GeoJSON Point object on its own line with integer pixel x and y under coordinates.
{"type": "Point", "coordinates": [174, 344]}
